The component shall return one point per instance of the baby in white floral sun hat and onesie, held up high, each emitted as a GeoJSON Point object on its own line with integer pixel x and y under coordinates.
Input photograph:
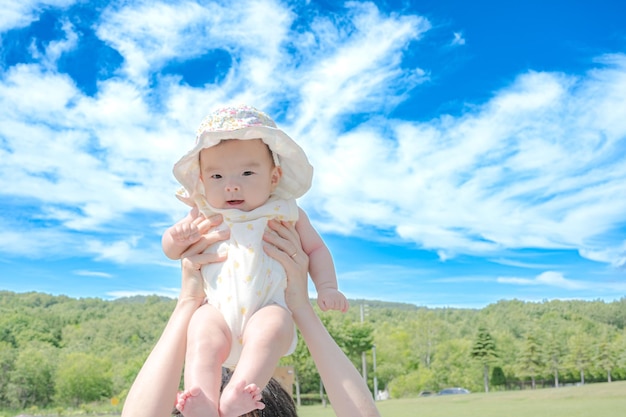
{"type": "Point", "coordinates": [249, 171]}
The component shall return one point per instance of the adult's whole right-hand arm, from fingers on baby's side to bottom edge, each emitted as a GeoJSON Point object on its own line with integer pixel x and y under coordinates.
{"type": "Point", "coordinates": [346, 390]}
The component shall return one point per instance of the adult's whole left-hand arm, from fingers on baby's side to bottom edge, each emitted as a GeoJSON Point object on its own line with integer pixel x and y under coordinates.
{"type": "Point", "coordinates": [153, 392]}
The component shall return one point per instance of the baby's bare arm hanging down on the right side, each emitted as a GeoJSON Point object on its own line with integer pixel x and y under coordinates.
{"type": "Point", "coordinates": [321, 266]}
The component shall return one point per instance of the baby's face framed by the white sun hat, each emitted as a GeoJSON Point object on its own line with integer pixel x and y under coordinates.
{"type": "Point", "coordinates": [238, 174]}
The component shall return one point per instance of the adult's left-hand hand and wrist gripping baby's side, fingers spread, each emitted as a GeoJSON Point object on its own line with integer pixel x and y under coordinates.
{"type": "Point", "coordinates": [194, 257]}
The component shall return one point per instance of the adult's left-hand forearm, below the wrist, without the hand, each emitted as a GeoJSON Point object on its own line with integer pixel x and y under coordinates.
{"type": "Point", "coordinates": [154, 390]}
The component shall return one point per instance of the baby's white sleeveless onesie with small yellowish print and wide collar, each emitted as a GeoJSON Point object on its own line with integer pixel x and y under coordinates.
{"type": "Point", "coordinates": [249, 279]}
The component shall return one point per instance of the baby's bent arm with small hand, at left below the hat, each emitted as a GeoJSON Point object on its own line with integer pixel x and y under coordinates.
{"type": "Point", "coordinates": [183, 234]}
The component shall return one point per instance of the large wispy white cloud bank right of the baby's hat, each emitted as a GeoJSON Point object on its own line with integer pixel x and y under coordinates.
{"type": "Point", "coordinates": [533, 167]}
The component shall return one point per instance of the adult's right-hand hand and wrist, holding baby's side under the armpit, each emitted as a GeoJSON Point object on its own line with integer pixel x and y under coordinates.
{"type": "Point", "coordinates": [282, 243]}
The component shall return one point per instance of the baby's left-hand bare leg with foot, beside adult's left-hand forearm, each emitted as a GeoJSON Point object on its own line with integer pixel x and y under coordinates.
{"type": "Point", "coordinates": [208, 346]}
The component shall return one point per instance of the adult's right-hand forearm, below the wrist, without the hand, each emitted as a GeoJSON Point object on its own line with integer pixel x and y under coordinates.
{"type": "Point", "coordinates": [346, 390]}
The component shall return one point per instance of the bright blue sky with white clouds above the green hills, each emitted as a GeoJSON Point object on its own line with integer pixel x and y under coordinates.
{"type": "Point", "coordinates": [464, 152]}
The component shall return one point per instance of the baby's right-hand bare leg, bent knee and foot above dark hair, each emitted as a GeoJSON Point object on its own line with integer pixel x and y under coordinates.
{"type": "Point", "coordinates": [267, 337]}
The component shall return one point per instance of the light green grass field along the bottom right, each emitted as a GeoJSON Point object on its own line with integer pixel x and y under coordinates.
{"type": "Point", "coordinates": [591, 400]}
